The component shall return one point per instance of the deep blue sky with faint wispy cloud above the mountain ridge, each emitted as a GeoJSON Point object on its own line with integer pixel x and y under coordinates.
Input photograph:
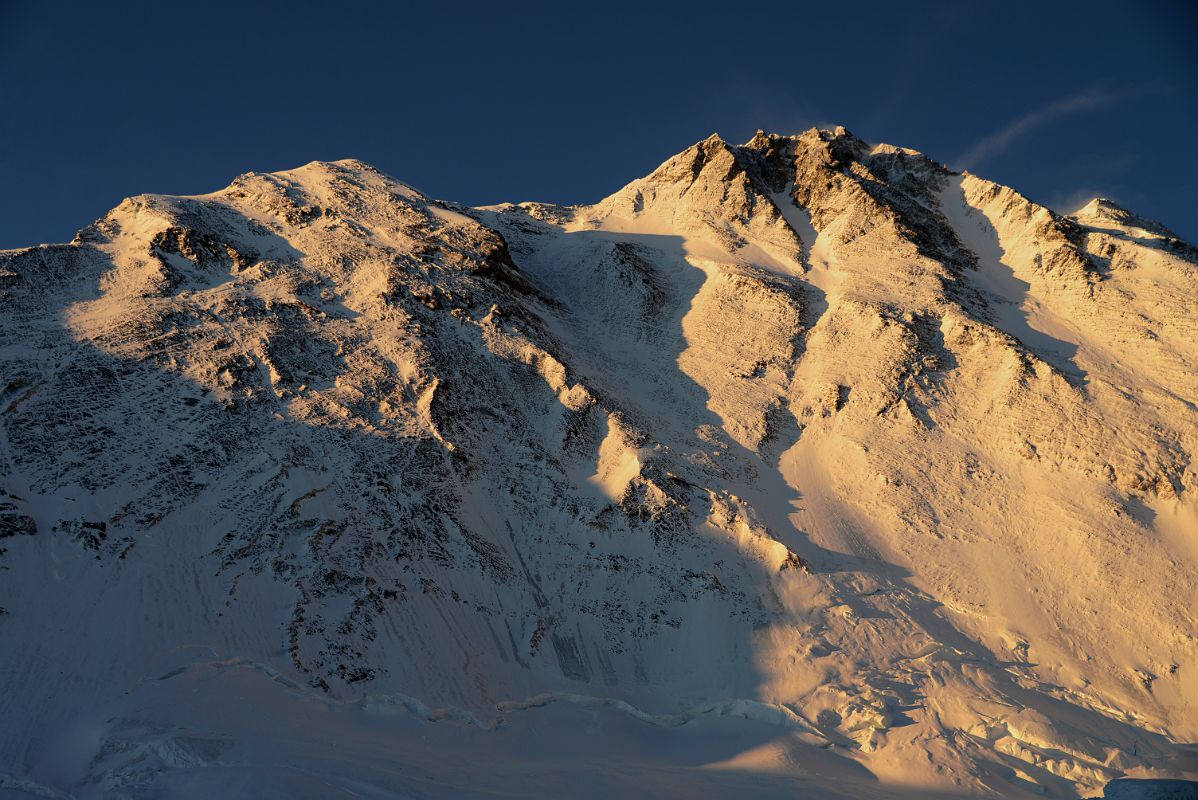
{"type": "Point", "coordinates": [505, 101]}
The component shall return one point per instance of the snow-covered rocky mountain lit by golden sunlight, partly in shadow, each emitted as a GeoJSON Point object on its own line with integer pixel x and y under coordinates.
{"type": "Point", "coordinates": [801, 468]}
